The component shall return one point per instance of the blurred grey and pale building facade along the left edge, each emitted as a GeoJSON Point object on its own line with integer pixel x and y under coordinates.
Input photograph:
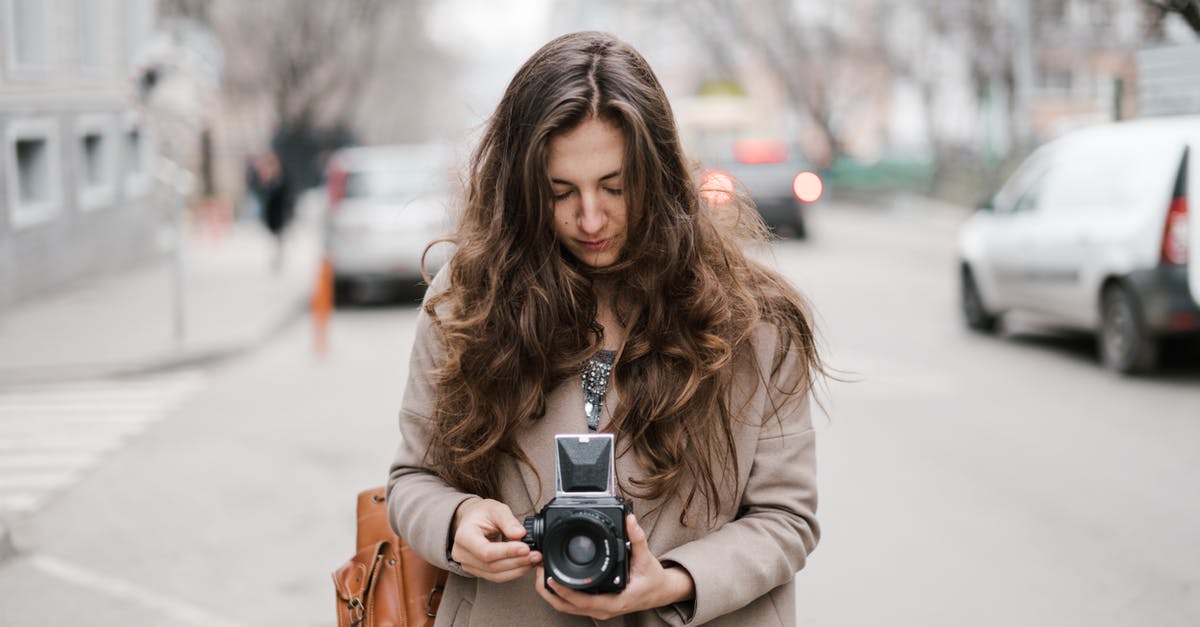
{"type": "Point", "coordinates": [76, 160]}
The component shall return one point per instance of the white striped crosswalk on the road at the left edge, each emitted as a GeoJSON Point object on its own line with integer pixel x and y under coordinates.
{"type": "Point", "coordinates": [51, 434]}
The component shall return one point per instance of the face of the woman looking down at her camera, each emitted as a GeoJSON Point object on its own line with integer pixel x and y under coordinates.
{"type": "Point", "coordinates": [585, 171]}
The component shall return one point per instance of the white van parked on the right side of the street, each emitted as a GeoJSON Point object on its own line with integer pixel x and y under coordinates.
{"type": "Point", "coordinates": [1096, 231]}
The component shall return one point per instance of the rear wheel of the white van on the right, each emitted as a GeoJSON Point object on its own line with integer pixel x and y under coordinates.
{"type": "Point", "coordinates": [1126, 345]}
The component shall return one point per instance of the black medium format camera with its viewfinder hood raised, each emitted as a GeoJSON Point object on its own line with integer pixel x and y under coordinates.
{"type": "Point", "coordinates": [581, 533]}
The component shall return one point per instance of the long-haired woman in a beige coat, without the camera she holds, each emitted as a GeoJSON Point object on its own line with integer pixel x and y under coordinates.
{"type": "Point", "coordinates": [595, 289]}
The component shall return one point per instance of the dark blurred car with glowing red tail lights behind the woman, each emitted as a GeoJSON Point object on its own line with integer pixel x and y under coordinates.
{"type": "Point", "coordinates": [779, 181]}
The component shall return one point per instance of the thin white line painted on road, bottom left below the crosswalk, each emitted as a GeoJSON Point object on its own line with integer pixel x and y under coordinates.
{"type": "Point", "coordinates": [179, 612]}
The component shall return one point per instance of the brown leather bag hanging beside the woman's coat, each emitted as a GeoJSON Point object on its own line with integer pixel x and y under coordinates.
{"type": "Point", "coordinates": [386, 584]}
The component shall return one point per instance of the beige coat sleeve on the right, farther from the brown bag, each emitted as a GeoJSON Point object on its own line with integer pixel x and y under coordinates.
{"type": "Point", "coordinates": [776, 529]}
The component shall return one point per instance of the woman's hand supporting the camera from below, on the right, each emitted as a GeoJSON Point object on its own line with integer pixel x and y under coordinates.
{"type": "Point", "coordinates": [650, 586]}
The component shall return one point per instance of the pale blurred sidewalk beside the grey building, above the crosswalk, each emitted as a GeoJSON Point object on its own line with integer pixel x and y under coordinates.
{"type": "Point", "coordinates": [124, 325]}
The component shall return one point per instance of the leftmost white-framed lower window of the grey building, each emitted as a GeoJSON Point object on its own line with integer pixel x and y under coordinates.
{"type": "Point", "coordinates": [34, 172]}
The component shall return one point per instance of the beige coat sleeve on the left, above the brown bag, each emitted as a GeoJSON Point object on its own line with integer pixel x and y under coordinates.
{"type": "Point", "coordinates": [421, 505]}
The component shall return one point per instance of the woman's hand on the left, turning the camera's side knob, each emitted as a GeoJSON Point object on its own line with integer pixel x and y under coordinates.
{"type": "Point", "coordinates": [488, 541]}
